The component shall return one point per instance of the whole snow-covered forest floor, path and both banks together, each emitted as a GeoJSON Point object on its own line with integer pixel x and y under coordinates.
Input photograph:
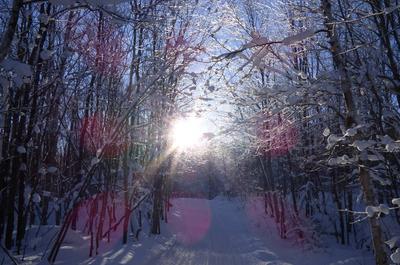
{"type": "Point", "coordinates": [212, 232]}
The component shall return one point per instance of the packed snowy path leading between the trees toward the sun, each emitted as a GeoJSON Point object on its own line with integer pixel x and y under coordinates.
{"type": "Point", "coordinates": [229, 239]}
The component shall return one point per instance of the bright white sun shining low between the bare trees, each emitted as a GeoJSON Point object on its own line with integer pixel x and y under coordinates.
{"type": "Point", "coordinates": [187, 133]}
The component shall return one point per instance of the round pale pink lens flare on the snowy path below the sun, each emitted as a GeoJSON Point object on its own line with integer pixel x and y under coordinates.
{"type": "Point", "coordinates": [189, 220]}
